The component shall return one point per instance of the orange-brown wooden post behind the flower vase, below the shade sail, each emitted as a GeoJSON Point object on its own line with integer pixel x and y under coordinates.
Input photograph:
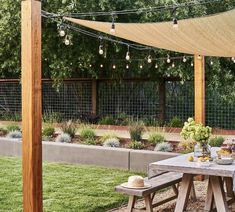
{"type": "Point", "coordinates": [199, 88]}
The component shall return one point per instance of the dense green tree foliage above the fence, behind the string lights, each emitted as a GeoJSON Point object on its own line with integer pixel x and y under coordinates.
{"type": "Point", "coordinates": [60, 61]}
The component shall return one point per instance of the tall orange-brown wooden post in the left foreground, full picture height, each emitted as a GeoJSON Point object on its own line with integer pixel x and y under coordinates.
{"type": "Point", "coordinates": [31, 105]}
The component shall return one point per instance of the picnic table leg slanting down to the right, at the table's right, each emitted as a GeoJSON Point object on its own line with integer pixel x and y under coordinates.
{"type": "Point", "coordinates": [218, 193]}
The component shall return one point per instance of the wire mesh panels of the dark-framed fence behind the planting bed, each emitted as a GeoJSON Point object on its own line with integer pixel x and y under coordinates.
{"type": "Point", "coordinates": [138, 100]}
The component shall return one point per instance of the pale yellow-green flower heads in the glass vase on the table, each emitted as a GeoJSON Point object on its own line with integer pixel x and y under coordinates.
{"type": "Point", "coordinates": [196, 132]}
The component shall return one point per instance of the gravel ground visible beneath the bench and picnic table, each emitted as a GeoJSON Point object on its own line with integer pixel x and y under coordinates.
{"type": "Point", "coordinates": [169, 207]}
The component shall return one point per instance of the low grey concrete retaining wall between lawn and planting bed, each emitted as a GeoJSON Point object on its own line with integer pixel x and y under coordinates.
{"type": "Point", "coordinates": [135, 160]}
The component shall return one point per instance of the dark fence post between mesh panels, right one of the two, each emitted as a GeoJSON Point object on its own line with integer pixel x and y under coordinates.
{"type": "Point", "coordinates": [162, 100]}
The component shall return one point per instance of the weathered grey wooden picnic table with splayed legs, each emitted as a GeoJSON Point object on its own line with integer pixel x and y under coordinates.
{"type": "Point", "coordinates": [217, 173]}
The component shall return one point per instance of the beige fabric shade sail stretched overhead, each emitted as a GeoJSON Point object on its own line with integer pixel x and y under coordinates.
{"type": "Point", "coordinates": [209, 36]}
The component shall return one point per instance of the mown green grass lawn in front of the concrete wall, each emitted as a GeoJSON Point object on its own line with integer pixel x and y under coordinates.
{"type": "Point", "coordinates": [66, 187]}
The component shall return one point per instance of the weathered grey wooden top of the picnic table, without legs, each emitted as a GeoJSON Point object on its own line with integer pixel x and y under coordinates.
{"type": "Point", "coordinates": [182, 165]}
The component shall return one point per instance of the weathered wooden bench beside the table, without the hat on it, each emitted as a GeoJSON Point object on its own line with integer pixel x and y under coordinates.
{"type": "Point", "coordinates": [158, 182]}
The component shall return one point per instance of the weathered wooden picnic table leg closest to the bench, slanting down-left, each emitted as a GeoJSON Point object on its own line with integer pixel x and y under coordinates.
{"type": "Point", "coordinates": [184, 192]}
